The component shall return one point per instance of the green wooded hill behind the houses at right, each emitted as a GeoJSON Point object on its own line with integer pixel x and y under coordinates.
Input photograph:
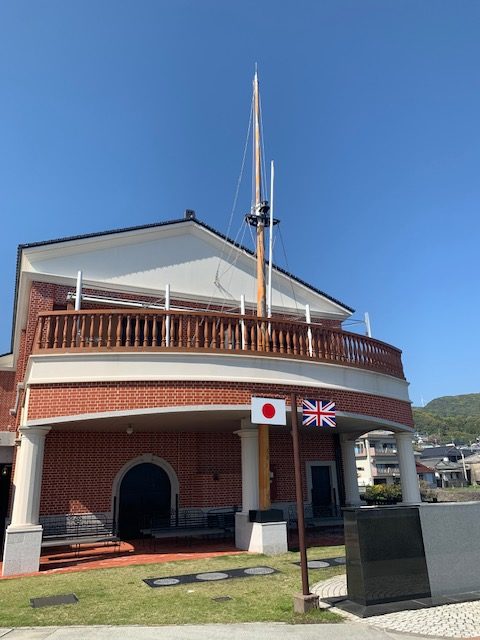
{"type": "Point", "coordinates": [450, 418]}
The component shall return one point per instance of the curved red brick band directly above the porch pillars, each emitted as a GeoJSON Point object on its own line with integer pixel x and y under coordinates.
{"type": "Point", "coordinates": [48, 401]}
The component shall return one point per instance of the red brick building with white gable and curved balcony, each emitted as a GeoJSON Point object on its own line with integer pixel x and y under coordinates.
{"type": "Point", "coordinates": [125, 409]}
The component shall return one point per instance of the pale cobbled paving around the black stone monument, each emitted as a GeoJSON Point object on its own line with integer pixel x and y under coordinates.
{"type": "Point", "coordinates": [448, 621]}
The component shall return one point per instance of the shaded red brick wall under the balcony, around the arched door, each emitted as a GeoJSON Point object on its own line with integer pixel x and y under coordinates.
{"type": "Point", "coordinates": [80, 468]}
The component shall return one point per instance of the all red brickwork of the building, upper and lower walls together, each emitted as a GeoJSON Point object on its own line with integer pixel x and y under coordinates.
{"type": "Point", "coordinates": [80, 467]}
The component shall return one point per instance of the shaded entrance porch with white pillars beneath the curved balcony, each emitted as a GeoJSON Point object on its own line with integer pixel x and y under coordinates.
{"type": "Point", "coordinates": [146, 471]}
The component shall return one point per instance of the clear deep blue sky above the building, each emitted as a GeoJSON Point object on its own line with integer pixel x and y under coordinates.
{"type": "Point", "coordinates": [116, 113]}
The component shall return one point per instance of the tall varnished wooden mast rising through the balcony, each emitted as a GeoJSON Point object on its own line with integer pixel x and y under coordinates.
{"type": "Point", "coordinates": [258, 218]}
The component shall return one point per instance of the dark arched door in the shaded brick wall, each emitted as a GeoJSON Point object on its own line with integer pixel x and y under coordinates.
{"type": "Point", "coordinates": [144, 500]}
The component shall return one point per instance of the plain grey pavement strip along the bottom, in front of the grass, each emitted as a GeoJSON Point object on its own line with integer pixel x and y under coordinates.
{"type": "Point", "coordinates": [253, 631]}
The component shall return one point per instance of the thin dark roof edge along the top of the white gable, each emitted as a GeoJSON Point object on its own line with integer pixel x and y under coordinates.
{"type": "Point", "coordinates": [156, 225]}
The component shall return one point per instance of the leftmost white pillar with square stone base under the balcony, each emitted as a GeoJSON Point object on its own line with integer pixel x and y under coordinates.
{"type": "Point", "coordinates": [24, 535]}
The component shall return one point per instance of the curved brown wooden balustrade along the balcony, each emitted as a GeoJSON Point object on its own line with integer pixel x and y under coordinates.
{"type": "Point", "coordinates": [143, 330]}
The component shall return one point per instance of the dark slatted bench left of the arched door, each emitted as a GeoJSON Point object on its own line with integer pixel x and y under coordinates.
{"type": "Point", "coordinates": [77, 529]}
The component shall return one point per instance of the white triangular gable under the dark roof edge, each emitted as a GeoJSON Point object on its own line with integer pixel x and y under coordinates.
{"type": "Point", "coordinates": [198, 265]}
